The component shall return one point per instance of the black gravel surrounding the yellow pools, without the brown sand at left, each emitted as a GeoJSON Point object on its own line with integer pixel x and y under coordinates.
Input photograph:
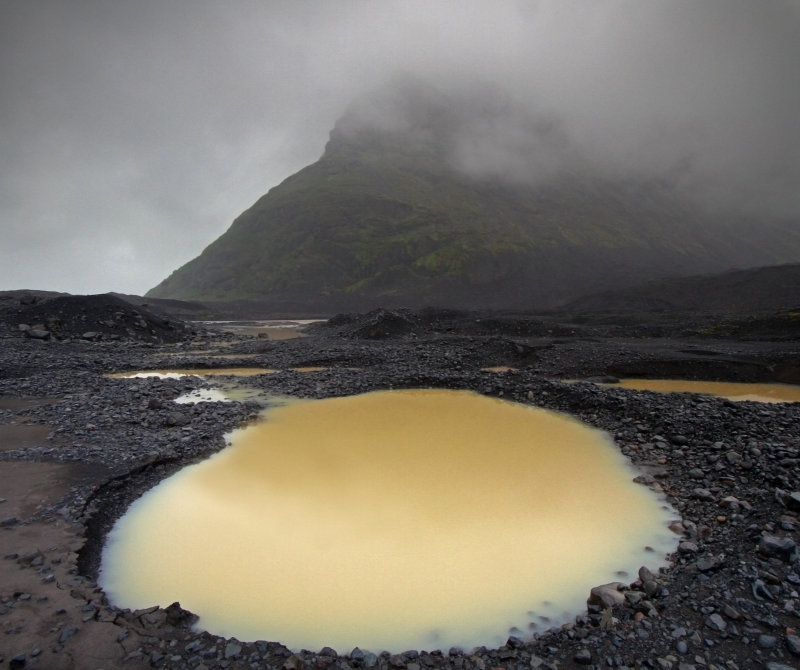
{"type": "Point", "coordinates": [729, 600]}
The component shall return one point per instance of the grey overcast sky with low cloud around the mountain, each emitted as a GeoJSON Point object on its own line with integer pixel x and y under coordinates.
{"type": "Point", "coordinates": [133, 133]}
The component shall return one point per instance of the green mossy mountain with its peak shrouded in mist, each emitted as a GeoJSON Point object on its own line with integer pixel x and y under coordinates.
{"type": "Point", "coordinates": [386, 218]}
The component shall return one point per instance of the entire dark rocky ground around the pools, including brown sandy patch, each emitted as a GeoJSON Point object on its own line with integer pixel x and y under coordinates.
{"type": "Point", "coordinates": [77, 446]}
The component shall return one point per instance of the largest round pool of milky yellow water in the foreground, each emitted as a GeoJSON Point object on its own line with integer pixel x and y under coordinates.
{"type": "Point", "coordinates": [392, 520]}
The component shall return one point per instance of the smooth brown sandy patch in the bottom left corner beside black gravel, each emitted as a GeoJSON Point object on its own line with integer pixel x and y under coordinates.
{"type": "Point", "coordinates": [51, 617]}
